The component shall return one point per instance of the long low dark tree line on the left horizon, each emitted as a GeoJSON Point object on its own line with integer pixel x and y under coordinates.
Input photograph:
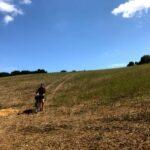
{"type": "Point", "coordinates": [23, 72]}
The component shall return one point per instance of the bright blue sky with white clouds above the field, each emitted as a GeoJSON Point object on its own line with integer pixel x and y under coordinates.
{"type": "Point", "coordinates": [72, 34]}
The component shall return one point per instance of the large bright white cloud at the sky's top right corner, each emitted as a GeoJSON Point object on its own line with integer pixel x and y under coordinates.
{"type": "Point", "coordinates": [132, 7]}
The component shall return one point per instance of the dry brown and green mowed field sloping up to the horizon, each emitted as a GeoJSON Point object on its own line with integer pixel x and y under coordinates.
{"type": "Point", "coordinates": [107, 109]}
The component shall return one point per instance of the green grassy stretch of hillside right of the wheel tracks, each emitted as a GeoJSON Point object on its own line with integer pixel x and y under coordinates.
{"type": "Point", "coordinates": [106, 86]}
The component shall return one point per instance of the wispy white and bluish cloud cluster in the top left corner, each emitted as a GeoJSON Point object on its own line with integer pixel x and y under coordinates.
{"type": "Point", "coordinates": [10, 9]}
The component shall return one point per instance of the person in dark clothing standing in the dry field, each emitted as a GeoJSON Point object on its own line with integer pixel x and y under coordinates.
{"type": "Point", "coordinates": [40, 96]}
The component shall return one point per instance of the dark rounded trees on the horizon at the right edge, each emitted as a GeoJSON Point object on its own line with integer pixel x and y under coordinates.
{"type": "Point", "coordinates": [144, 60]}
